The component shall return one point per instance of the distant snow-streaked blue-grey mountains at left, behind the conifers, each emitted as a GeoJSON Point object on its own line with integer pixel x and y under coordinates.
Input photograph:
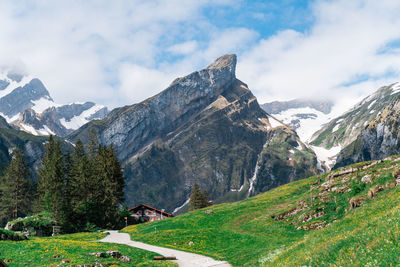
{"type": "Point", "coordinates": [26, 104]}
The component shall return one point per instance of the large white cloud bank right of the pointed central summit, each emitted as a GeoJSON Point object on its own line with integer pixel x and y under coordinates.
{"type": "Point", "coordinates": [342, 45]}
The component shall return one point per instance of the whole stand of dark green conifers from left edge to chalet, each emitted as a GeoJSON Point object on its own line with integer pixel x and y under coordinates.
{"type": "Point", "coordinates": [82, 188]}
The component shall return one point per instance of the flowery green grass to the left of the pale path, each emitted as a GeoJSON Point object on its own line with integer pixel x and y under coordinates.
{"type": "Point", "coordinates": [75, 247]}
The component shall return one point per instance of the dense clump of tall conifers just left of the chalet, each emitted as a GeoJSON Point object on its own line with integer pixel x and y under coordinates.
{"type": "Point", "coordinates": [82, 191]}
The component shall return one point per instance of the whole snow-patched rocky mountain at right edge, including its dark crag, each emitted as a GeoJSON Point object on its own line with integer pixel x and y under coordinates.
{"type": "Point", "coordinates": [367, 131]}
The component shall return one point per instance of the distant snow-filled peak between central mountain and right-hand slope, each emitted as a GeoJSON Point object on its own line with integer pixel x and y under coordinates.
{"type": "Point", "coordinates": [304, 116]}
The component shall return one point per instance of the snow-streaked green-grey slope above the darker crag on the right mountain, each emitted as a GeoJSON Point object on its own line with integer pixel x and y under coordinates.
{"type": "Point", "coordinates": [342, 131]}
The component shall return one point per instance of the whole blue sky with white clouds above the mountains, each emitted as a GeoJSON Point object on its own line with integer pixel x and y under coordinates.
{"type": "Point", "coordinates": [120, 52]}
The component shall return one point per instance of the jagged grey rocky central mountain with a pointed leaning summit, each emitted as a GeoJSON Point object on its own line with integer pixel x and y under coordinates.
{"type": "Point", "coordinates": [206, 126]}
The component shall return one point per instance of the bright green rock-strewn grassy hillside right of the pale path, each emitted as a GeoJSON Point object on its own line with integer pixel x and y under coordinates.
{"type": "Point", "coordinates": [320, 221]}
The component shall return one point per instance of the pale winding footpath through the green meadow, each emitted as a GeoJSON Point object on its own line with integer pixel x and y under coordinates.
{"type": "Point", "coordinates": [184, 259]}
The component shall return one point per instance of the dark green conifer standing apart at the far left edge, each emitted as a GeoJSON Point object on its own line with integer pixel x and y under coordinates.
{"type": "Point", "coordinates": [16, 196]}
